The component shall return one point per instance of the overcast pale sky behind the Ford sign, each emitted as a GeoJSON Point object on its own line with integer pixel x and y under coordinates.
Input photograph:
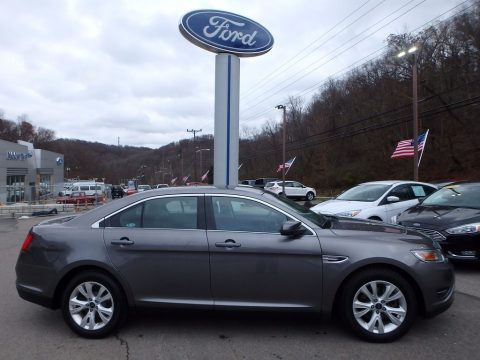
{"type": "Point", "coordinates": [99, 70]}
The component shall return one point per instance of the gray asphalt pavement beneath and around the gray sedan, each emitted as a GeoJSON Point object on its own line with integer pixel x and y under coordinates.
{"type": "Point", "coordinates": [29, 331]}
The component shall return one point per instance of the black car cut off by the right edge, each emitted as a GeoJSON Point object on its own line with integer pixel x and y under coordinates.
{"type": "Point", "coordinates": [450, 216]}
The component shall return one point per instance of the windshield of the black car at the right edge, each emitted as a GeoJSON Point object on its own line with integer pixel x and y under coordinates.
{"type": "Point", "coordinates": [457, 195]}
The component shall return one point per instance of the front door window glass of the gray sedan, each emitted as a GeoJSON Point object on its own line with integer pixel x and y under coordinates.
{"type": "Point", "coordinates": [238, 214]}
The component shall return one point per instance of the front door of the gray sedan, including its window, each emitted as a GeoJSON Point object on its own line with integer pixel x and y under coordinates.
{"type": "Point", "coordinates": [252, 265]}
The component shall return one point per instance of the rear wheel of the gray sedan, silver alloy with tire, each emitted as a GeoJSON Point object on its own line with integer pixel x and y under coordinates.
{"type": "Point", "coordinates": [93, 305]}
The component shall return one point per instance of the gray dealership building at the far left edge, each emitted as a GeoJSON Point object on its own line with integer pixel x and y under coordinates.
{"type": "Point", "coordinates": [28, 174]}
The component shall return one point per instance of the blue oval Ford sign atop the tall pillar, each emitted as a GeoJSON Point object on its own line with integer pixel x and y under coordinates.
{"type": "Point", "coordinates": [224, 32]}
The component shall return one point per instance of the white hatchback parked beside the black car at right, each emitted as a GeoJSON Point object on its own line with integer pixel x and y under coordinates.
{"type": "Point", "coordinates": [376, 200]}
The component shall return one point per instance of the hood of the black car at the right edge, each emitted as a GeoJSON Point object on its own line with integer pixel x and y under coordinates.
{"type": "Point", "coordinates": [439, 217]}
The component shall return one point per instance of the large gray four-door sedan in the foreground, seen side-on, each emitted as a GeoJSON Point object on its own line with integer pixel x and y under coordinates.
{"type": "Point", "coordinates": [231, 249]}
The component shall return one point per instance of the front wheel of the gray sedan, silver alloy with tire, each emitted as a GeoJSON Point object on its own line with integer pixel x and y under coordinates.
{"type": "Point", "coordinates": [379, 305]}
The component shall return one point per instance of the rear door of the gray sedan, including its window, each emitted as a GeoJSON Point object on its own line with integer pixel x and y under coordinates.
{"type": "Point", "coordinates": [160, 248]}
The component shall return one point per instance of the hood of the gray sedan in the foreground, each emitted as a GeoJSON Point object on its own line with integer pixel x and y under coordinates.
{"type": "Point", "coordinates": [377, 231]}
